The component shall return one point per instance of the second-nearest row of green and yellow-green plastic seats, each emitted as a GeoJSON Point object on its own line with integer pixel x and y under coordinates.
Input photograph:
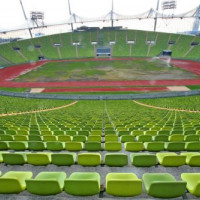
{"type": "Point", "coordinates": [168, 159]}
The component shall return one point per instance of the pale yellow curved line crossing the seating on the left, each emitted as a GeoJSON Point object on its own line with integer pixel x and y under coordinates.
{"type": "Point", "coordinates": [37, 111]}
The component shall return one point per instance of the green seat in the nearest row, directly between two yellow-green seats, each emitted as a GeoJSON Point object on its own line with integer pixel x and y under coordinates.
{"type": "Point", "coordinates": [163, 185]}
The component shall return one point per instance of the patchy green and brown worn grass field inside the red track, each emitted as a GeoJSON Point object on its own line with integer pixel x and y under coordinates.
{"type": "Point", "coordinates": [105, 71]}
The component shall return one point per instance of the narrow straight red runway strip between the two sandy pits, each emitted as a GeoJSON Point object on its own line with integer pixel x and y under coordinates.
{"type": "Point", "coordinates": [135, 89]}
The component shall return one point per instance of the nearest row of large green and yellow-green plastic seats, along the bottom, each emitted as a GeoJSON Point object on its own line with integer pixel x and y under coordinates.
{"type": "Point", "coordinates": [160, 185]}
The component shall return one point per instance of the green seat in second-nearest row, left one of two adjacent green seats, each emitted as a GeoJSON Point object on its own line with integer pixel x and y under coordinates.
{"type": "Point", "coordinates": [115, 159]}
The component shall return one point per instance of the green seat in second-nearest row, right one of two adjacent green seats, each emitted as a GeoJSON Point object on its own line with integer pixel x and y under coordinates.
{"type": "Point", "coordinates": [143, 159]}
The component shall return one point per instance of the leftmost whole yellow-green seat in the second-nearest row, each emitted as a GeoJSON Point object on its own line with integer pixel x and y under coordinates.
{"type": "Point", "coordinates": [39, 158]}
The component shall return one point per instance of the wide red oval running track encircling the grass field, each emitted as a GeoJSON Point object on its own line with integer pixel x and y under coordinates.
{"type": "Point", "coordinates": [9, 73]}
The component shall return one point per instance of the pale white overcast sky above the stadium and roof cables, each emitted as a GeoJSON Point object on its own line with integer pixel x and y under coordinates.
{"type": "Point", "coordinates": [56, 11]}
